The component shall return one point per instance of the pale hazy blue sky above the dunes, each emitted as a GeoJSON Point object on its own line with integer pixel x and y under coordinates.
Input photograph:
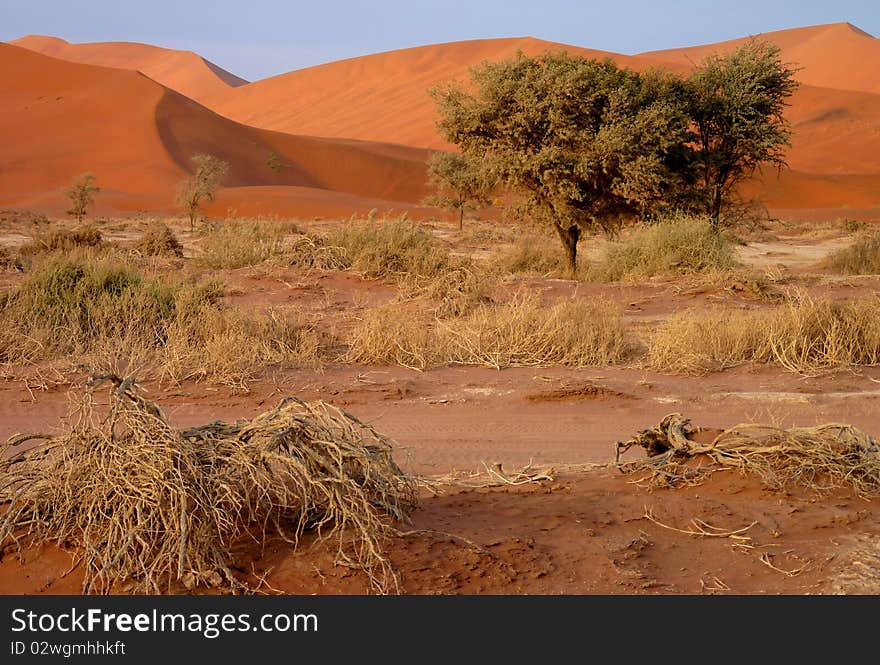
{"type": "Point", "coordinates": [259, 38]}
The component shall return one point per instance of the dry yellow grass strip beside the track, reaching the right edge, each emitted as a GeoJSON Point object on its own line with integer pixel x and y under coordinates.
{"type": "Point", "coordinates": [804, 335]}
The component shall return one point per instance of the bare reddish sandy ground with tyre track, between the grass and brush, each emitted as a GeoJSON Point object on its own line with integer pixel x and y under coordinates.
{"type": "Point", "coordinates": [586, 531]}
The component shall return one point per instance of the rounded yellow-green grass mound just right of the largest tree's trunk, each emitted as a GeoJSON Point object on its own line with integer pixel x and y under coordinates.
{"type": "Point", "coordinates": [676, 246]}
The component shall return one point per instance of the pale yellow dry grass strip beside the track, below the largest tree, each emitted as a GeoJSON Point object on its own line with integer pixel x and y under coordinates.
{"type": "Point", "coordinates": [520, 333]}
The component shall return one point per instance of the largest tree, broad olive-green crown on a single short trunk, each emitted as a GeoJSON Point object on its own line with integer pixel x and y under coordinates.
{"type": "Point", "coordinates": [582, 143]}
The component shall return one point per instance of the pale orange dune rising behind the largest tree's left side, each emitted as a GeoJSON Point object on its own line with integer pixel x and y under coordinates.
{"type": "Point", "coordinates": [381, 97]}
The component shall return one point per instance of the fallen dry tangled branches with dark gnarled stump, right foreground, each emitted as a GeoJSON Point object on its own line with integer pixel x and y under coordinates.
{"type": "Point", "coordinates": [821, 458]}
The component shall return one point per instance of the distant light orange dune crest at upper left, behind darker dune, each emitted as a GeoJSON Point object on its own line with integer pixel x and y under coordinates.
{"type": "Point", "coordinates": [184, 71]}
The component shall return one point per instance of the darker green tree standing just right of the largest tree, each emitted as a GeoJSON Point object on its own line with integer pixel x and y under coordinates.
{"type": "Point", "coordinates": [736, 103]}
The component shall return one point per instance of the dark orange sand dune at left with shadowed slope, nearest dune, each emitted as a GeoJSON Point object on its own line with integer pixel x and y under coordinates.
{"type": "Point", "coordinates": [59, 119]}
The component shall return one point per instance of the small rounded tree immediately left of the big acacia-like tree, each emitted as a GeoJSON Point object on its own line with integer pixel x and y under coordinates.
{"type": "Point", "coordinates": [458, 184]}
